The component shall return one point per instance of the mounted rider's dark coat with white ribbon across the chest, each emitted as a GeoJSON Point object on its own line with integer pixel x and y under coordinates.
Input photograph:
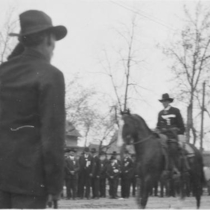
{"type": "Point", "coordinates": [171, 117]}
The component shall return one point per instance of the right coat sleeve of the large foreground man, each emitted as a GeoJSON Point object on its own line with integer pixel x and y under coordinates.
{"type": "Point", "coordinates": [52, 117]}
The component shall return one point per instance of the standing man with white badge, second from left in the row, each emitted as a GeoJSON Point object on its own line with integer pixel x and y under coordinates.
{"type": "Point", "coordinates": [85, 174]}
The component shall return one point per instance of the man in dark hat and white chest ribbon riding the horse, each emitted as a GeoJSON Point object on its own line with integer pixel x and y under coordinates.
{"type": "Point", "coordinates": [170, 123]}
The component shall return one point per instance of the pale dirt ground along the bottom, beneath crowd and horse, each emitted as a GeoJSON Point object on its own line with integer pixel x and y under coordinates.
{"type": "Point", "coordinates": [153, 203]}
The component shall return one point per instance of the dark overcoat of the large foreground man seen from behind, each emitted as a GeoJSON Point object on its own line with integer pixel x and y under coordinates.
{"type": "Point", "coordinates": [32, 125]}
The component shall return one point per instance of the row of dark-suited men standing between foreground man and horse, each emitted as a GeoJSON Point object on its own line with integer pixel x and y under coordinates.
{"type": "Point", "coordinates": [91, 175]}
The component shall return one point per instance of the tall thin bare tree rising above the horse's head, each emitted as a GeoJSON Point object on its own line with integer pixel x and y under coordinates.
{"type": "Point", "coordinates": [126, 61]}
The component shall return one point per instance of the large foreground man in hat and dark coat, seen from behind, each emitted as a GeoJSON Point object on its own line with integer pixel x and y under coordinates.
{"type": "Point", "coordinates": [32, 114]}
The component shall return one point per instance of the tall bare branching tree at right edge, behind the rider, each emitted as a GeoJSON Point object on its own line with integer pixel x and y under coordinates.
{"type": "Point", "coordinates": [191, 59]}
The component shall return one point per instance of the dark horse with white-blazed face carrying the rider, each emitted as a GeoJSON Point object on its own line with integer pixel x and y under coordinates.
{"type": "Point", "coordinates": [149, 157]}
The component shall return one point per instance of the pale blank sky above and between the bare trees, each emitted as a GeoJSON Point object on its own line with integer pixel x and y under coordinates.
{"type": "Point", "coordinates": [90, 27]}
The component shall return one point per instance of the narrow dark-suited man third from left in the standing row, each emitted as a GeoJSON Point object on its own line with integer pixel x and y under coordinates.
{"type": "Point", "coordinates": [96, 174]}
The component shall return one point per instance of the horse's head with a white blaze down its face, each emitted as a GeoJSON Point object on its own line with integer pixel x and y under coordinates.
{"type": "Point", "coordinates": [129, 127]}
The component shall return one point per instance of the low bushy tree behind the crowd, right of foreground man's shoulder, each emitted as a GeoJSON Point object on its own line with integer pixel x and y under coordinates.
{"type": "Point", "coordinates": [84, 110]}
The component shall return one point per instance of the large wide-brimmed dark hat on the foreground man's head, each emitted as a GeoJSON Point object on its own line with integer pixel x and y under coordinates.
{"type": "Point", "coordinates": [33, 21]}
